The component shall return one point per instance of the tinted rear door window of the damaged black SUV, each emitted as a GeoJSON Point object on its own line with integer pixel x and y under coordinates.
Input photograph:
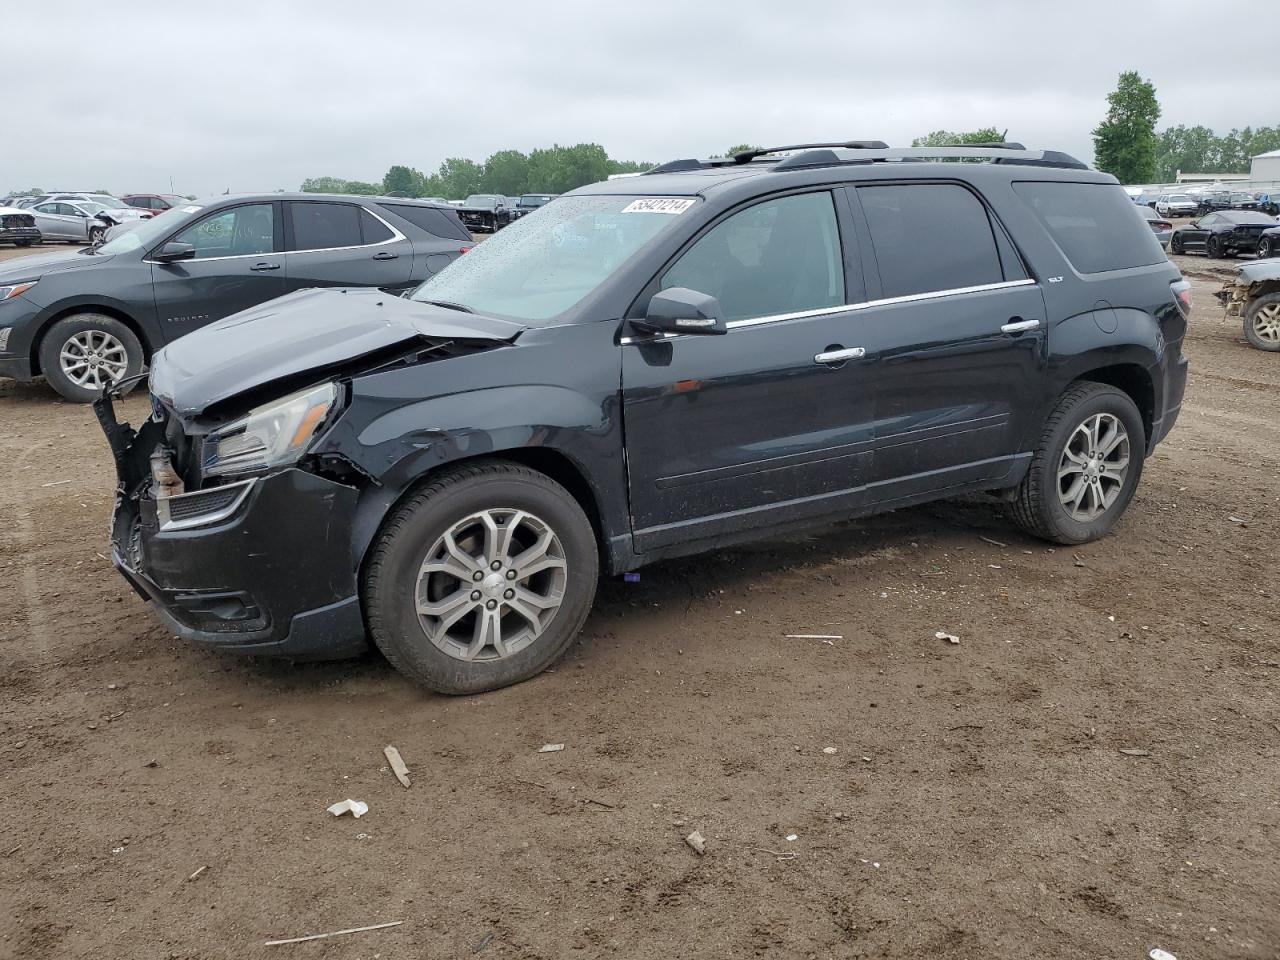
{"type": "Point", "coordinates": [930, 237]}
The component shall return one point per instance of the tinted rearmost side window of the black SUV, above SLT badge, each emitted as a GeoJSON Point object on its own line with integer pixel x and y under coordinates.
{"type": "Point", "coordinates": [1094, 225]}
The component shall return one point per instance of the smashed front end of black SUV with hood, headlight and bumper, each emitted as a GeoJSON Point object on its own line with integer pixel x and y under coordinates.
{"type": "Point", "coordinates": [227, 518]}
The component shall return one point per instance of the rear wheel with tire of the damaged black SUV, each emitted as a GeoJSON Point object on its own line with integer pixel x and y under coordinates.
{"type": "Point", "coordinates": [1086, 468]}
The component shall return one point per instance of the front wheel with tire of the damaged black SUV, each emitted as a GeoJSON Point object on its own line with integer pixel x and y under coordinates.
{"type": "Point", "coordinates": [482, 579]}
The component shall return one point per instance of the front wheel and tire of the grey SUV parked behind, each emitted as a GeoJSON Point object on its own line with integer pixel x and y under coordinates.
{"type": "Point", "coordinates": [83, 353]}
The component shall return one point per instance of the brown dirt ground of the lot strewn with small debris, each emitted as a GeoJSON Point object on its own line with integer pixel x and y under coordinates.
{"type": "Point", "coordinates": [161, 802]}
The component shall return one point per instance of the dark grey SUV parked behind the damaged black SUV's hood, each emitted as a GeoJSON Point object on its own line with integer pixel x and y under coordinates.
{"type": "Point", "coordinates": [85, 318]}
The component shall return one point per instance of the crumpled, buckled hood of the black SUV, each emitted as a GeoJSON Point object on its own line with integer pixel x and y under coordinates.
{"type": "Point", "coordinates": [312, 330]}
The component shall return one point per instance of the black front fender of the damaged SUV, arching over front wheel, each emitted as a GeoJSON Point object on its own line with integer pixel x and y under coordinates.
{"type": "Point", "coordinates": [404, 424]}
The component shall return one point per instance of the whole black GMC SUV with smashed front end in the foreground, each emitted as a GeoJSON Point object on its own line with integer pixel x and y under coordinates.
{"type": "Point", "coordinates": [648, 368]}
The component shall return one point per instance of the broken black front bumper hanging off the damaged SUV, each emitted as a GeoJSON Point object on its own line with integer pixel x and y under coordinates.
{"type": "Point", "coordinates": [260, 566]}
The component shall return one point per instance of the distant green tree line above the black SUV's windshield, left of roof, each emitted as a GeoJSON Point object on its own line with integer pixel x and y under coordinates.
{"type": "Point", "coordinates": [555, 170]}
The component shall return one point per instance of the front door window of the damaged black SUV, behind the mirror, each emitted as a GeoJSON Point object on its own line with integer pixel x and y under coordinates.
{"type": "Point", "coordinates": [781, 257]}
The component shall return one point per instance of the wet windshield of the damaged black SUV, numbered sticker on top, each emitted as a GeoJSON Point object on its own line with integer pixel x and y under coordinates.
{"type": "Point", "coordinates": [542, 266]}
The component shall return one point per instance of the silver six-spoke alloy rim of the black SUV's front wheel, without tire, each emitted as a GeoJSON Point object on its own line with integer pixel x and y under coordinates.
{"type": "Point", "coordinates": [491, 584]}
